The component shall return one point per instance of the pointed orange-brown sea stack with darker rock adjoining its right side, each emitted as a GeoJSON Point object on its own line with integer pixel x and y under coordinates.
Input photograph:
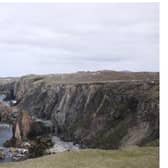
{"type": "Point", "coordinates": [27, 128]}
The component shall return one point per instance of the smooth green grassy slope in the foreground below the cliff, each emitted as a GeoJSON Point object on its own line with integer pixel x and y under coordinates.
{"type": "Point", "coordinates": [147, 157]}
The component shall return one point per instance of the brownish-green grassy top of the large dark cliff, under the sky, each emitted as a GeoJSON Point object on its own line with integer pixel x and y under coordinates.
{"type": "Point", "coordinates": [92, 77]}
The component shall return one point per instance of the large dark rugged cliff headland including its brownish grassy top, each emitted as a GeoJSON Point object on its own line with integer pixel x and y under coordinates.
{"type": "Point", "coordinates": [95, 109]}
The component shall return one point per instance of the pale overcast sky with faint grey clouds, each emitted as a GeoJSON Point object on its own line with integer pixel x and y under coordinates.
{"type": "Point", "coordinates": [53, 38]}
